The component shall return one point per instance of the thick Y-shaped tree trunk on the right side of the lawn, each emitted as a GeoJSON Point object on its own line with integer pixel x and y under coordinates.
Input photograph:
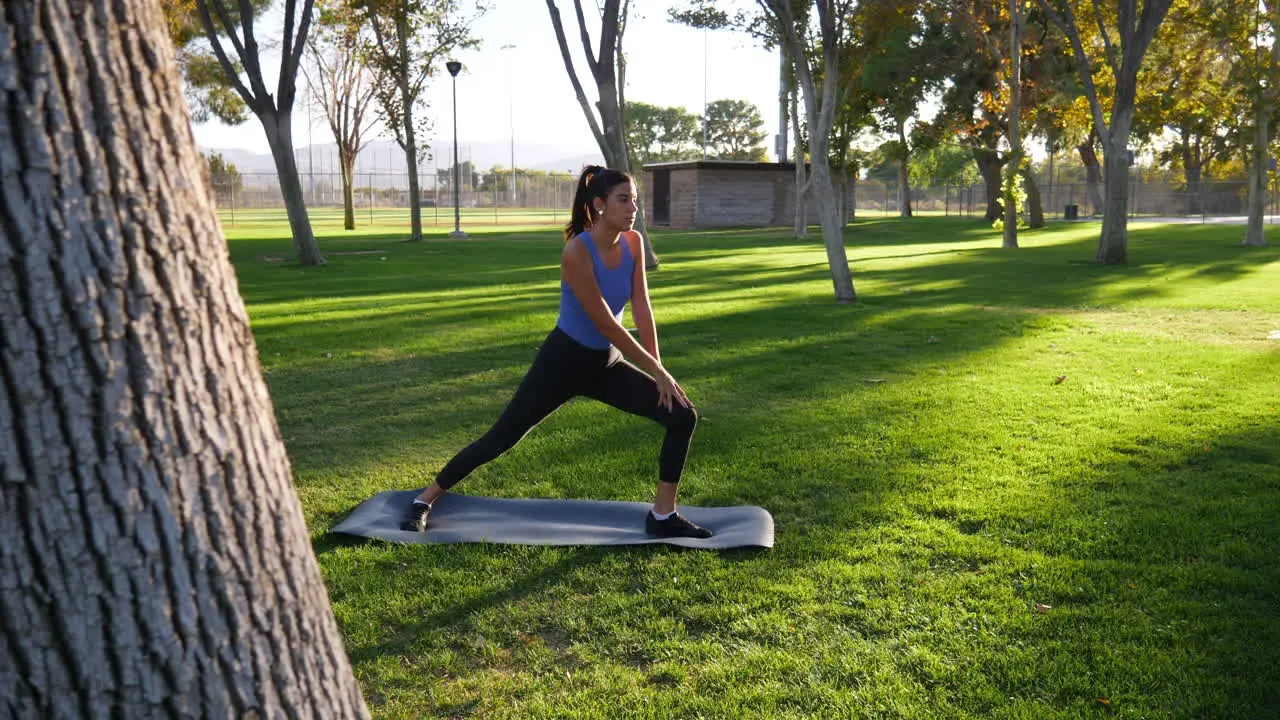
{"type": "Point", "coordinates": [1133, 30]}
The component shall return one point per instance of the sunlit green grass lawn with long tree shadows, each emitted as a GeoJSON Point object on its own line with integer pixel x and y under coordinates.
{"type": "Point", "coordinates": [959, 535]}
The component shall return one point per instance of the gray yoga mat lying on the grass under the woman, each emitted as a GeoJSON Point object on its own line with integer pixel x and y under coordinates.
{"type": "Point", "coordinates": [463, 518]}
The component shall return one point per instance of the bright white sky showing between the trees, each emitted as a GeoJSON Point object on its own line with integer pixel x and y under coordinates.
{"type": "Point", "coordinates": [524, 93]}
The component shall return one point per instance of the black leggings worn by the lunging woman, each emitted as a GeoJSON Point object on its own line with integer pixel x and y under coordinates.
{"type": "Point", "coordinates": [563, 371]}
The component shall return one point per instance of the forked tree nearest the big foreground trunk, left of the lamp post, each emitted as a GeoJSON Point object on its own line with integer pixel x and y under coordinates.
{"type": "Point", "coordinates": [275, 111]}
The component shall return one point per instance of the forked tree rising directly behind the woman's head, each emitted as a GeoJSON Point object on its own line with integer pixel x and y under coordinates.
{"type": "Point", "coordinates": [609, 70]}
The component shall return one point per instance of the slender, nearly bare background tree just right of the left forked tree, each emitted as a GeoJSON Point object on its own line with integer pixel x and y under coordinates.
{"type": "Point", "coordinates": [341, 81]}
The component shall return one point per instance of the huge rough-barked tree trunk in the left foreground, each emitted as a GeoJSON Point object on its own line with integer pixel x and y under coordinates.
{"type": "Point", "coordinates": [154, 557]}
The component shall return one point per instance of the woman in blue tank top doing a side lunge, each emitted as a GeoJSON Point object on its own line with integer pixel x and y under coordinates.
{"type": "Point", "coordinates": [602, 268]}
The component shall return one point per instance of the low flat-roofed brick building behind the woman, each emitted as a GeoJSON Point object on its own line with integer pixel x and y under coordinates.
{"type": "Point", "coordinates": [706, 194]}
